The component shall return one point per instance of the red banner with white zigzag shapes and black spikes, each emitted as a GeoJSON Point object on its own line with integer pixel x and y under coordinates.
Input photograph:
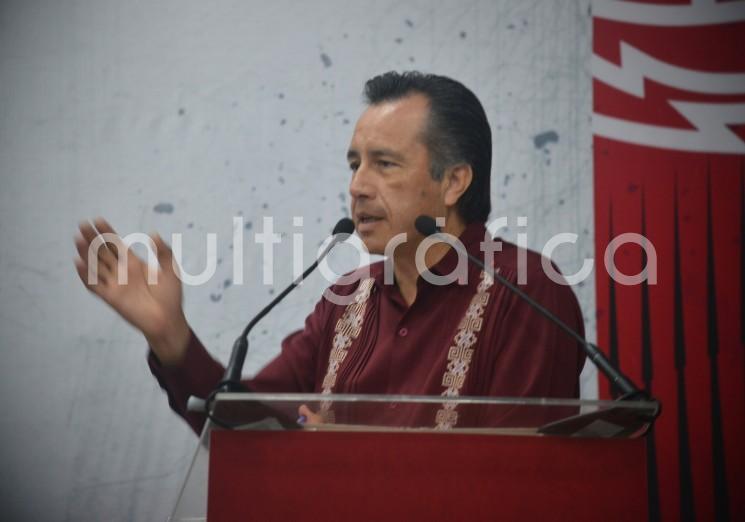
{"type": "Point", "coordinates": [669, 153]}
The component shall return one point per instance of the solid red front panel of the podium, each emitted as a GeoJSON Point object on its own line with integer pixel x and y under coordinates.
{"type": "Point", "coordinates": [258, 475]}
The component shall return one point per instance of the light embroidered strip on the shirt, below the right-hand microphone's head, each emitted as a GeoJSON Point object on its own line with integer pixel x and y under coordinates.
{"type": "Point", "coordinates": [460, 353]}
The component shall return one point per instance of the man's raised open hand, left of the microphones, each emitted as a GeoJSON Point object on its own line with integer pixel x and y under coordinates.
{"type": "Point", "coordinates": [121, 280]}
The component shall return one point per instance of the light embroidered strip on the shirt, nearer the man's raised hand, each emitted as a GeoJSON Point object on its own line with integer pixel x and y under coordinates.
{"type": "Point", "coordinates": [347, 329]}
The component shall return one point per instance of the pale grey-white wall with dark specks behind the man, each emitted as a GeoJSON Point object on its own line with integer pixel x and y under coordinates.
{"type": "Point", "coordinates": [215, 108]}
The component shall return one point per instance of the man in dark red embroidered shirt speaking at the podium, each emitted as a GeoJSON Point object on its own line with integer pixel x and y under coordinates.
{"type": "Point", "coordinates": [421, 147]}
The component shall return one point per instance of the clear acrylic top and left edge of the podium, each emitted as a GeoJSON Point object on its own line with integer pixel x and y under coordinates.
{"type": "Point", "coordinates": [408, 413]}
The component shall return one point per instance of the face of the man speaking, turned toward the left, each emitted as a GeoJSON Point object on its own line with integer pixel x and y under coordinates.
{"type": "Point", "coordinates": [391, 183]}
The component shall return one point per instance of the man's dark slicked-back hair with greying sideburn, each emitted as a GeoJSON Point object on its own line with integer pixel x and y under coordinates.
{"type": "Point", "coordinates": [457, 131]}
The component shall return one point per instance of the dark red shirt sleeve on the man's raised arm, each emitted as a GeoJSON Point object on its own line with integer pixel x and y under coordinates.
{"type": "Point", "coordinates": [293, 370]}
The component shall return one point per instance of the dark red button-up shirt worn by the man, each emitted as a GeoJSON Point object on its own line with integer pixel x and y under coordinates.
{"type": "Point", "coordinates": [405, 350]}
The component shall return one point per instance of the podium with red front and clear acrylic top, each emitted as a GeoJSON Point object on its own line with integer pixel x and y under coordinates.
{"type": "Point", "coordinates": [386, 457]}
